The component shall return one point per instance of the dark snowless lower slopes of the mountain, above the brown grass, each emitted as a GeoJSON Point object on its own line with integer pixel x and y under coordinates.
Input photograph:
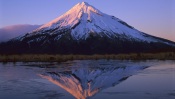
{"type": "Point", "coordinates": [47, 44]}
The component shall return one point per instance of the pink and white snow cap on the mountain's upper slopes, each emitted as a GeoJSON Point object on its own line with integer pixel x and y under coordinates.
{"type": "Point", "coordinates": [84, 19]}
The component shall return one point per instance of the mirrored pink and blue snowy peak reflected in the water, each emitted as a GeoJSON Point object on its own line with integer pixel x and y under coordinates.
{"type": "Point", "coordinates": [86, 81]}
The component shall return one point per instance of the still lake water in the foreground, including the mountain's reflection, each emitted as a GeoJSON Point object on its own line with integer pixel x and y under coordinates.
{"type": "Point", "coordinates": [94, 79]}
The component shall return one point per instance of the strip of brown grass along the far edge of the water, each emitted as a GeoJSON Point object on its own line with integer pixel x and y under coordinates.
{"type": "Point", "coordinates": [62, 58]}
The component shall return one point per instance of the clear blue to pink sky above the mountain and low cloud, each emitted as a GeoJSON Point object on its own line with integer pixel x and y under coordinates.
{"type": "Point", "coordinates": [155, 17]}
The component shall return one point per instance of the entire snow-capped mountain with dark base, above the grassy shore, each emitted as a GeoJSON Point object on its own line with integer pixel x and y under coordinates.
{"type": "Point", "coordinates": [86, 30]}
